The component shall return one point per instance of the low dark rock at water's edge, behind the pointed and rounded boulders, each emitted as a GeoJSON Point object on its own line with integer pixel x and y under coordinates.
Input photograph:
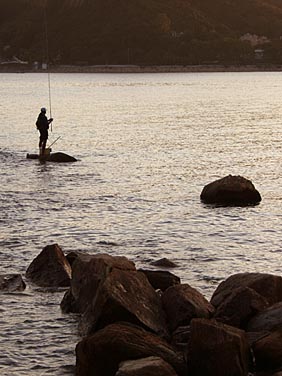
{"type": "Point", "coordinates": [161, 279]}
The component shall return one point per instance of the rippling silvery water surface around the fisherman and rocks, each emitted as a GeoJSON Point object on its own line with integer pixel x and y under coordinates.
{"type": "Point", "coordinates": [147, 144]}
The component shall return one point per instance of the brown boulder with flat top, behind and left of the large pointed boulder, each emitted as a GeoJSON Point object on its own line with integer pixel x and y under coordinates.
{"type": "Point", "coordinates": [88, 271]}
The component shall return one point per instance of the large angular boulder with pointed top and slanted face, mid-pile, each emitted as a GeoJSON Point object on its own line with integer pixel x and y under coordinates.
{"type": "Point", "coordinates": [125, 296]}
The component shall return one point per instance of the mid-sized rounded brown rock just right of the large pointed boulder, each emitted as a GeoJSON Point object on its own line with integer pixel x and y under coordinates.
{"type": "Point", "coordinates": [182, 303]}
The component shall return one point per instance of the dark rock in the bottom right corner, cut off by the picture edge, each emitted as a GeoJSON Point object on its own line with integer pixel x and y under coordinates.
{"type": "Point", "coordinates": [268, 351]}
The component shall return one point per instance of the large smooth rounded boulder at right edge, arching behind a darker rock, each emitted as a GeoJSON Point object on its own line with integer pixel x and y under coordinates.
{"type": "Point", "coordinates": [267, 285]}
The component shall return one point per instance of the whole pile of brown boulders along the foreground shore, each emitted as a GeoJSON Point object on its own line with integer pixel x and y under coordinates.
{"type": "Point", "coordinates": [141, 322]}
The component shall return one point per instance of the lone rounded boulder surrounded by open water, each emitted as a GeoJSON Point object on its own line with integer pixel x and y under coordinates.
{"type": "Point", "coordinates": [231, 190]}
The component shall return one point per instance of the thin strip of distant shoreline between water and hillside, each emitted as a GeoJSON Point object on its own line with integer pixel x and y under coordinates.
{"type": "Point", "coordinates": [22, 68]}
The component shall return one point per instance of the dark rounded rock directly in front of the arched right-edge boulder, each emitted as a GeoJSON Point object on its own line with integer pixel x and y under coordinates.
{"type": "Point", "coordinates": [240, 306]}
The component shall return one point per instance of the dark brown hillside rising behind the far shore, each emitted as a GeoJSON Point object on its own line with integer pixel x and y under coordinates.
{"type": "Point", "coordinates": [139, 31]}
